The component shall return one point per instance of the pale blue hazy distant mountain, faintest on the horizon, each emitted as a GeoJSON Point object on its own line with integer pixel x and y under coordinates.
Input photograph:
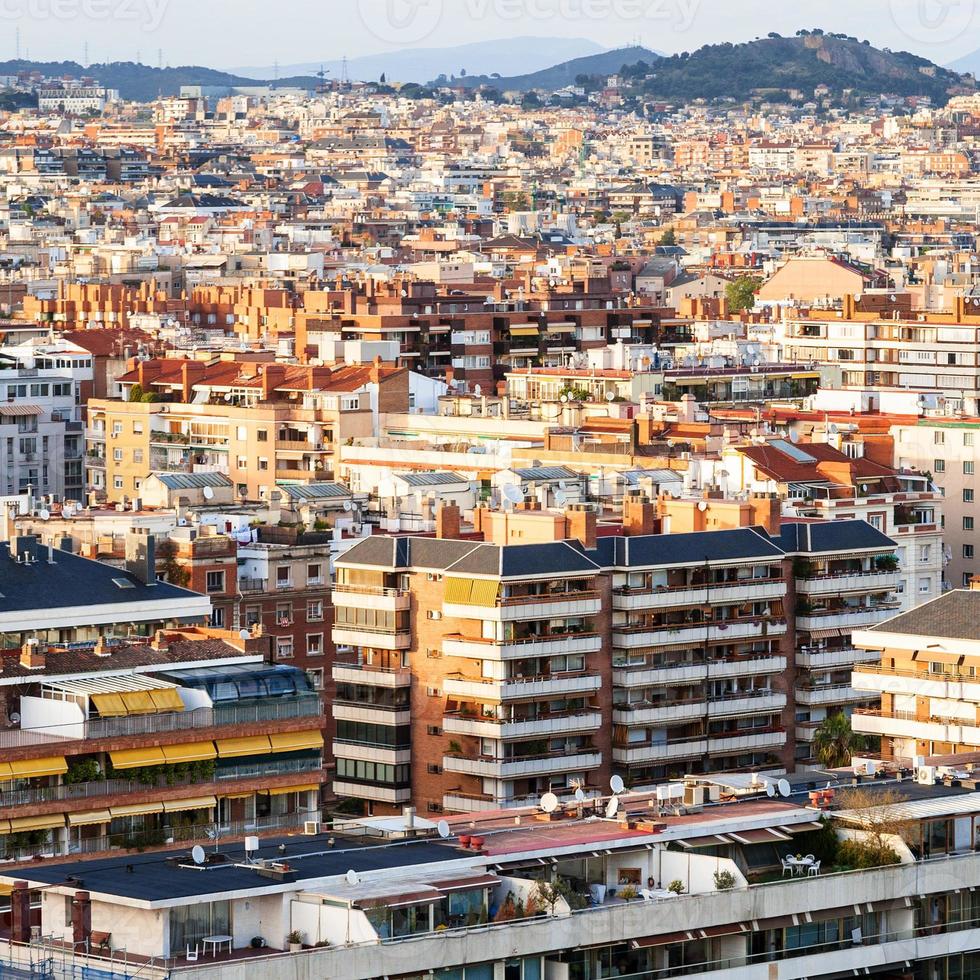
{"type": "Point", "coordinates": [519, 54]}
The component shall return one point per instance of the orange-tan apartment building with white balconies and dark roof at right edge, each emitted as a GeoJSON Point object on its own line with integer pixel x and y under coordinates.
{"type": "Point", "coordinates": [924, 670]}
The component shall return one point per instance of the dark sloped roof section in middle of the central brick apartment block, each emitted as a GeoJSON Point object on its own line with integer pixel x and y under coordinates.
{"type": "Point", "coordinates": [743, 544]}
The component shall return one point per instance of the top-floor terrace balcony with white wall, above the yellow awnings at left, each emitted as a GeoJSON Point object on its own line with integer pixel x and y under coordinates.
{"type": "Point", "coordinates": [238, 713]}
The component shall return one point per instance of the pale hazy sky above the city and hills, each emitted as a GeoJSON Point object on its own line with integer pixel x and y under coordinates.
{"type": "Point", "coordinates": [257, 32]}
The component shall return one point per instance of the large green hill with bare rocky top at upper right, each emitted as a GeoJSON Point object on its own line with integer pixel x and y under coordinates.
{"type": "Point", "coordinates": [739, 70]}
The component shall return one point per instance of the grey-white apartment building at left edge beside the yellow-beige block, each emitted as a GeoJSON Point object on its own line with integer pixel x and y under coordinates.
{"type": "Point", "coordinates": [41, 428]}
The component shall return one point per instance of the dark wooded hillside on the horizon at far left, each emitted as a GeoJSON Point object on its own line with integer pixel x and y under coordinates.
{"type": "Point", "coordinates": [141, 83]}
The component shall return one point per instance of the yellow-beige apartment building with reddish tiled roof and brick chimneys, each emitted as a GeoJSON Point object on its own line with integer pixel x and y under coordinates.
{"type": "Point", "coordinates": [260, 424]}
